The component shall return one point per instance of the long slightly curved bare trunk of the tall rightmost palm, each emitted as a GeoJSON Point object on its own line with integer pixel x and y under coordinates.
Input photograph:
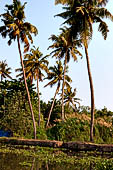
{"type": "Point", "coordinates": [92, 95]}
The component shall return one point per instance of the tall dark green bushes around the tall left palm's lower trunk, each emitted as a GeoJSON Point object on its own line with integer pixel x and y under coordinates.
{"type": "Point", "coordinates": [15, 113]}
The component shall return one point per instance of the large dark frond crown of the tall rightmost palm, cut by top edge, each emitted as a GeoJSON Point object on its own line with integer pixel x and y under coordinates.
{"type": "Point", "coordinates": [80, 15]}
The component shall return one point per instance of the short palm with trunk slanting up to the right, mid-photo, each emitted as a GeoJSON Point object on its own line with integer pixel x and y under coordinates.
{"type": "Point", "coordinates": [55, 75]}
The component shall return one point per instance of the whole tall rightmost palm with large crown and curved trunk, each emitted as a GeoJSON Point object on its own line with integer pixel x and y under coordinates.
{"type": "Point", "coordinates": [80, 15]}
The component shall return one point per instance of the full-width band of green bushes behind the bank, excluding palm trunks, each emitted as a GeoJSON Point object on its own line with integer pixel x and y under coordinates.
{"type": "Point", "coordinates": [15, 117]}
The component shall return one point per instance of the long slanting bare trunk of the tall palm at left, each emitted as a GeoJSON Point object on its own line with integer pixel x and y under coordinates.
{"type": "Point", "coordinates": [29, 100]}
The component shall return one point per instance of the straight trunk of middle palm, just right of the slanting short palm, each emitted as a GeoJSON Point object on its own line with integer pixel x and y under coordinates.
{"type": "Point", "coordinates": [63, 84]}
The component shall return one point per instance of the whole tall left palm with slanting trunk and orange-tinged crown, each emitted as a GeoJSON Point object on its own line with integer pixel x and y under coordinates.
{"type": "Point", "coordinates": [15, 27]}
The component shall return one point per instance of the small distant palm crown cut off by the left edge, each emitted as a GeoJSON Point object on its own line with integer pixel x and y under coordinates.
{"type": "Point", "coordinates": [4, 70]}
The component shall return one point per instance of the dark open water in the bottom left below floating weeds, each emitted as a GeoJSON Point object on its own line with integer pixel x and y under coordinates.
{"type": "Point", "coordinates": [9, 161]}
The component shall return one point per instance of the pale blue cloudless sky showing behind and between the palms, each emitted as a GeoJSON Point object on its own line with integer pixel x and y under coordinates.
{"type": "Point", "coordinates": [41, 14]}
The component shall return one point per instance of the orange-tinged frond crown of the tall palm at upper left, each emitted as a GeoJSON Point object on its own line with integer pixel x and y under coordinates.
{"type": "Point", "coordinates": [14, 24]}
